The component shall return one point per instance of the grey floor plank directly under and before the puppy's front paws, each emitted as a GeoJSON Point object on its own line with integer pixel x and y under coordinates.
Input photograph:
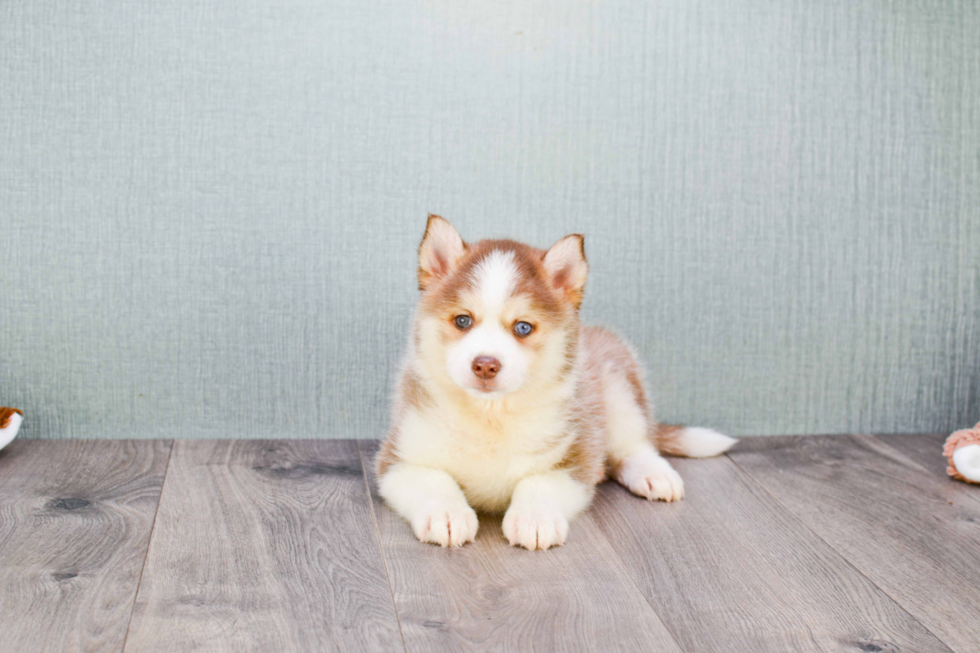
{"type": "Point", "coordinates": [490, 596]}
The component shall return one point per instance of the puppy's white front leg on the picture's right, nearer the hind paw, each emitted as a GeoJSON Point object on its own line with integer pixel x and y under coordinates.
{"type": "Point", "coordinates": [541, 507]}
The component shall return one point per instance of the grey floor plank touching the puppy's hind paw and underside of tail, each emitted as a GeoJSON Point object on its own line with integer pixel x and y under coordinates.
{"type": "Point", "coordinates": [729, 569]}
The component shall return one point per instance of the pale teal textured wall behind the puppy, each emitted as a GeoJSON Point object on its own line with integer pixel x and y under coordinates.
{"type": "Point", "coordinates": [209, 211]}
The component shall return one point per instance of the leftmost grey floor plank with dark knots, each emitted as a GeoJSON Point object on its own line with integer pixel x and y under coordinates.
{"type": "Point", "coordinates": [75, 520]}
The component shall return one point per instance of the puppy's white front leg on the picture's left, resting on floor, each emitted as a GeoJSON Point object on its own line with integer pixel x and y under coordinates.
{"type": "Point", "coordinates": [432, 502]}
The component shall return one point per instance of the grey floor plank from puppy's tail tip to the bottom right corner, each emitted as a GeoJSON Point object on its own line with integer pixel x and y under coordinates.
{"type": "Point", "coordinates": [912, 532]}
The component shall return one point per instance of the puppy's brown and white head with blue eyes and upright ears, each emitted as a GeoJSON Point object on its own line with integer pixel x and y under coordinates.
{"type": "Point", "coordinates": [498, 317]}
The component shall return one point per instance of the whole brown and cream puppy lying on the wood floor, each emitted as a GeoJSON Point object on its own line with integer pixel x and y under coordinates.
{"type": "Point", "coordinates": [504, 402]}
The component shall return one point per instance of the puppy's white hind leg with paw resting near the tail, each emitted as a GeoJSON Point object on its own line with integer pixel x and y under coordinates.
{"type": "Point", "coordinates": [633, 460]}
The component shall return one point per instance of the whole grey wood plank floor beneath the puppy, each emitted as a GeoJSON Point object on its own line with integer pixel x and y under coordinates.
{"type": "Point", "coordinates": [829, 543]}
